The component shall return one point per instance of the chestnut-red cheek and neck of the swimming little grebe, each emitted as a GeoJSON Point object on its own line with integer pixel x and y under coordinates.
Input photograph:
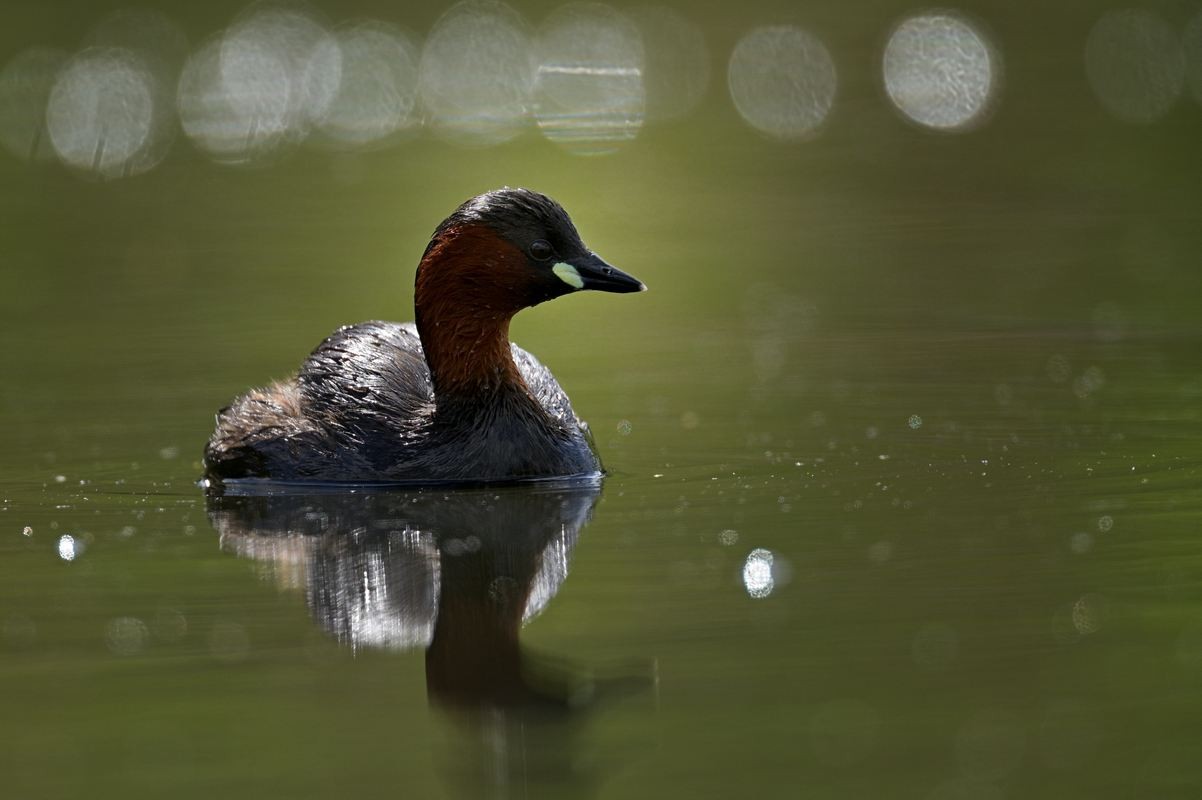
{"type": "Point", "coordinates": [469, 286]}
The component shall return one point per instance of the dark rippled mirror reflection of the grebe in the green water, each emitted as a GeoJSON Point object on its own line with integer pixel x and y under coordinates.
{"type": "Point", "coordinates": [457, 574]}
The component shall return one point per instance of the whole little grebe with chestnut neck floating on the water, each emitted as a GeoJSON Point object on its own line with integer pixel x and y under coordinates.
{"type": "Point", "coordinates": [448, 398]}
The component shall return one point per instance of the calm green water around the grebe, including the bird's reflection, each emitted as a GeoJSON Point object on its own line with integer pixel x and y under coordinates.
{"type": "Point", "coordinates": [905, 494]}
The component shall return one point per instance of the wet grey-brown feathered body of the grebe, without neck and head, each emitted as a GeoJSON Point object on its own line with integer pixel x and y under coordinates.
{"type": "Point", "coordinates": [362, 408]}
